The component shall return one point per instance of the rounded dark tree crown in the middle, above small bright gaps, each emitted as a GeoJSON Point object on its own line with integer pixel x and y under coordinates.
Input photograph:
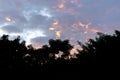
{"type": "Point", "coordinates": [58, 45]}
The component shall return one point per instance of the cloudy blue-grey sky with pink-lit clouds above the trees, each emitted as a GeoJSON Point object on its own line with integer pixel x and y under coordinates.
{"type": "Point", "coordinates": [37, 21]}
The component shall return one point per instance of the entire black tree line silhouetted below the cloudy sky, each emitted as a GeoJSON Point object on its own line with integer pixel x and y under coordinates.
{"type": "Point", "coordinates": [102, 51]}
